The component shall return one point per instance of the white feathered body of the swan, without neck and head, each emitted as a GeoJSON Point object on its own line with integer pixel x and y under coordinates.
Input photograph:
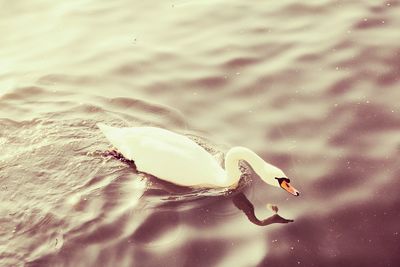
{"type": "Point", "coordinates": [166, 155]}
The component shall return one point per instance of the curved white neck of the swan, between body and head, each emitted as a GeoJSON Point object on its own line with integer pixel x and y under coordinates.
{"type": "Point", "coordinates": [232, 159]}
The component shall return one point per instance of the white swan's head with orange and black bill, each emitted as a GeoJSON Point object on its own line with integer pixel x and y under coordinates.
{"type": "Point", "coordinates": [276, 177]}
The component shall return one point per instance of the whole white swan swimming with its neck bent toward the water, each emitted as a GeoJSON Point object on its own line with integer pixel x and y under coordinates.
{"type": "Point", "coordinates": [177, 159]}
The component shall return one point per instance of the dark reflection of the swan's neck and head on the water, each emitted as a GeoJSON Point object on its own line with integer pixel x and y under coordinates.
{"type": "Point", "coordinates": [242, 203]}
